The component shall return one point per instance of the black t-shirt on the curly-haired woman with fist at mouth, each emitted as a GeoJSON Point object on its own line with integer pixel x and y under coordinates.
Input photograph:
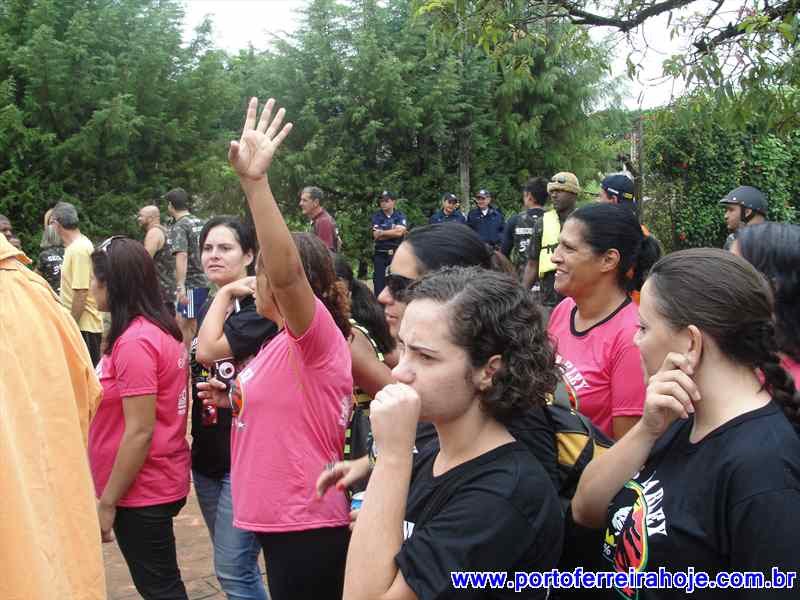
{"type": "Point", "coordinates": [503, 516]}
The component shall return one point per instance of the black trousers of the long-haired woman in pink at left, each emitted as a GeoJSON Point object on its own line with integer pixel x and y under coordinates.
{"type": "Point", "coordinates": [147, 540]}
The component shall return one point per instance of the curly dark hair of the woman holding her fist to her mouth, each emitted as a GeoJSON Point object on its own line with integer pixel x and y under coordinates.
{"type": "Point", "coordinates": [490, 314]}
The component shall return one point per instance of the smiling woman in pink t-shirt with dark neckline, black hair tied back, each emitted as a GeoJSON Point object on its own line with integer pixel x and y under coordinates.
{"type": "Point", "coordinates": [598, 263]}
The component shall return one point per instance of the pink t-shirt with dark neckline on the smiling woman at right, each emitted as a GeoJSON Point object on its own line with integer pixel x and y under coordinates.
{"type": "Point", "coordinates": [602, 364]}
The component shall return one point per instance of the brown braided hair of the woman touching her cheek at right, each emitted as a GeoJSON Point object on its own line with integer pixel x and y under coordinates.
{"type": "Point", "coordinates": [727, 299]}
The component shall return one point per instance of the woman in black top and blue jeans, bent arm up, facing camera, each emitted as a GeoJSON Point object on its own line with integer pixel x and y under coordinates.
{"type": "Point", "coordinates": [230, 333]}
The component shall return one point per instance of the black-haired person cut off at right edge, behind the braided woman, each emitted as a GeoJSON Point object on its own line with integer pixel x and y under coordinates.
{"type": "Point", "coordinates": [774, 249]}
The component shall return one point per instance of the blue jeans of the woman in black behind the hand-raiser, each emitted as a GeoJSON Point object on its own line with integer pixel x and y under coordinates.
{"type": "Point", "coordinates": [235, 551]}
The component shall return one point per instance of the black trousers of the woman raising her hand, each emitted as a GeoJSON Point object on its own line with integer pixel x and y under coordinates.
{"type": "Point", "coordinates": [306, 565]}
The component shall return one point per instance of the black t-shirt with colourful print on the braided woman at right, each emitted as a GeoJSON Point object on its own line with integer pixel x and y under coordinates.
{"type": "Point", "coordinates": [727, 503]}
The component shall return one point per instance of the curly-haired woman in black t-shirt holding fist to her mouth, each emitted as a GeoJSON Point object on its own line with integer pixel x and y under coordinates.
{"type": "Point", "coordinates": [474, 355]}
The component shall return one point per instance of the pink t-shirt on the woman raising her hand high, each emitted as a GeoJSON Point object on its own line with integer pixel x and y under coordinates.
{"type": "Point", "coordinates": [295, 404]}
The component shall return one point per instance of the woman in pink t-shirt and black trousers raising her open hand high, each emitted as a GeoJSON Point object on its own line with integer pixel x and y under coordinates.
{"type": "Point", "coordinates": [292, 401]}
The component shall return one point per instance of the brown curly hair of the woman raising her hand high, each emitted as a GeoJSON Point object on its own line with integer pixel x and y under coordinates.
{"type": "Point", "coordinates": [318, 266]}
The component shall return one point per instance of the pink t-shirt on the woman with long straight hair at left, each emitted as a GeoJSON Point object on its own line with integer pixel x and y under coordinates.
{"type": "Point", "coordinates": [145, 360]}
